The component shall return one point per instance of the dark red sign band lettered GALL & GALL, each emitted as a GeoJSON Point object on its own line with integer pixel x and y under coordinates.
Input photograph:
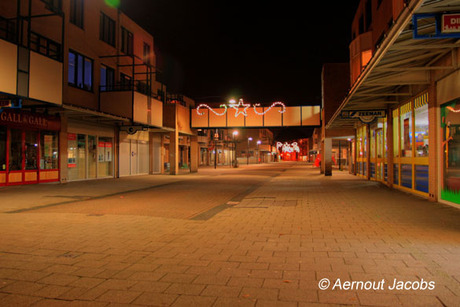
{"type": "Point", "coordinates": [29, 120]}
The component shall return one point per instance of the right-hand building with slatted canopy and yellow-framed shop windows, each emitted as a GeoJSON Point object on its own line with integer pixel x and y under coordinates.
{"type": "Point", "coordinates": [403, 105]}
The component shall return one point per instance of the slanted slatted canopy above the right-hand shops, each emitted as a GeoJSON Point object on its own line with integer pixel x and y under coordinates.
{"type": "Point", "coordinates": [399, 63]}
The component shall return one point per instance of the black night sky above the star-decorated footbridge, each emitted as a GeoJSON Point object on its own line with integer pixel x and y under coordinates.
{"type": "Point", "coordinates": [261, 51]}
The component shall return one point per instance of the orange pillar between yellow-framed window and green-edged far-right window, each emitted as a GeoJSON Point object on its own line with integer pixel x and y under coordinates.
{"type": "Point", "coordinates": [432, 143]}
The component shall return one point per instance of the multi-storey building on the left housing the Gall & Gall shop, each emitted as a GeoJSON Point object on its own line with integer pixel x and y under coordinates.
{"type": "Point", "coordinates": [79, 95]}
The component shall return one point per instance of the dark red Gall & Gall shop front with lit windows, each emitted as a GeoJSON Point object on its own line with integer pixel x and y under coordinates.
{"type": "Point", "coordinates": [29, 145]}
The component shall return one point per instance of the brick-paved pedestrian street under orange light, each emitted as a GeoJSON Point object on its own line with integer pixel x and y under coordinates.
{"type": "Point", "coordinates": [263, 235]}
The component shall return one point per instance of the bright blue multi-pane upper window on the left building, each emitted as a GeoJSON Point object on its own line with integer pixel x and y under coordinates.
{"type": "Point", "coordinates": [80, 71]}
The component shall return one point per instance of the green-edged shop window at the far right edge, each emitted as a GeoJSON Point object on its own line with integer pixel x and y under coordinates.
{"type": "Point", "coordinates": [450, 124]}
